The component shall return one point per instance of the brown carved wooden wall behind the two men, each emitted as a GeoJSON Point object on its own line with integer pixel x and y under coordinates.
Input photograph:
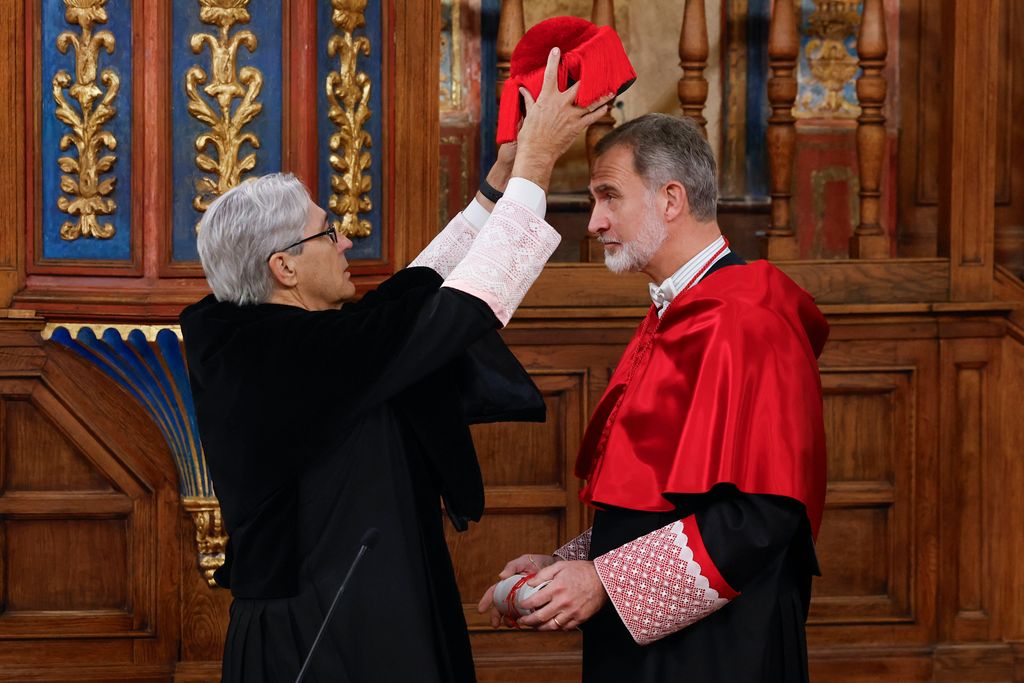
{"type": "Point", "coordinates": [923, 378]}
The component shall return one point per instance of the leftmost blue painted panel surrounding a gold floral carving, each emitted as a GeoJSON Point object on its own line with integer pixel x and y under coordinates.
{"type": "Point", "coordinates": [117, 248]}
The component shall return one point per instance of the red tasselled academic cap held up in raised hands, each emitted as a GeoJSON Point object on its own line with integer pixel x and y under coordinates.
{"type": "Point", "coordinates": [591, 55]}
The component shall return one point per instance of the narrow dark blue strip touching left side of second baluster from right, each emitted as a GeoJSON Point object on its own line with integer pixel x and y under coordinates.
{"type": "Point", "coordinates": [759, 18]}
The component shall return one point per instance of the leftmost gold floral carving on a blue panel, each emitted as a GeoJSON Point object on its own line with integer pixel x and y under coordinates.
{"type": "Point", "coordinates": [89, 195]}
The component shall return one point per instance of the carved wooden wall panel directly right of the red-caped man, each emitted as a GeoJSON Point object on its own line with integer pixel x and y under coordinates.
{"type": "Point", "coordinates": [878, 546]}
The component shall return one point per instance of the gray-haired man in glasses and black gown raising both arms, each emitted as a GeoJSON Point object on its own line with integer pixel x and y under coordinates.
{"type": "Point", "coordinates": [321, 420]}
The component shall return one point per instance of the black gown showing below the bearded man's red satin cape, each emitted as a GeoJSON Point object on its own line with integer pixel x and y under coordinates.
{"type": "Point", "coordinates": [762, 546]}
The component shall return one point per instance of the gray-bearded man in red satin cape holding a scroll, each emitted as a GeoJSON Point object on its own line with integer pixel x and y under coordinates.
{"type": "Point", "coordinates": [705, 458]}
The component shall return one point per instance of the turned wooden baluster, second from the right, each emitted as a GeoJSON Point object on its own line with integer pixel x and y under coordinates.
{"type": "Point", "coordinates": [784, 49]}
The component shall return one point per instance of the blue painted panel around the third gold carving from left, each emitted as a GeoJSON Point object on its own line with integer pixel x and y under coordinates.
{"type": "Point", "coordinates": [370, 247]}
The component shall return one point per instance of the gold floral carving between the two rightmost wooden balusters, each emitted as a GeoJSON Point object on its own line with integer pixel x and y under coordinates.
{"type": "Point", "coordinates": [832, 23]}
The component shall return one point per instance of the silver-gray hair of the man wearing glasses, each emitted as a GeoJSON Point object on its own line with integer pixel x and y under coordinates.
{"type": "Point", "coordinates": [245, 226]}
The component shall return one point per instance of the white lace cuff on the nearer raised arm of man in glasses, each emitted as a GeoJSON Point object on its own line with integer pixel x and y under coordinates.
{"type": "Point", "coordinates": [505, 260]}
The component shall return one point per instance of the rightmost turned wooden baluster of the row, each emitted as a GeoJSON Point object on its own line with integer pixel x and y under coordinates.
{"type": "Point", "coordinates": [870, 240]}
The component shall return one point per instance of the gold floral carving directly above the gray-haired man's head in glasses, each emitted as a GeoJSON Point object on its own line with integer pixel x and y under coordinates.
{"type": "Point", "coordinates": [229, 84]}
